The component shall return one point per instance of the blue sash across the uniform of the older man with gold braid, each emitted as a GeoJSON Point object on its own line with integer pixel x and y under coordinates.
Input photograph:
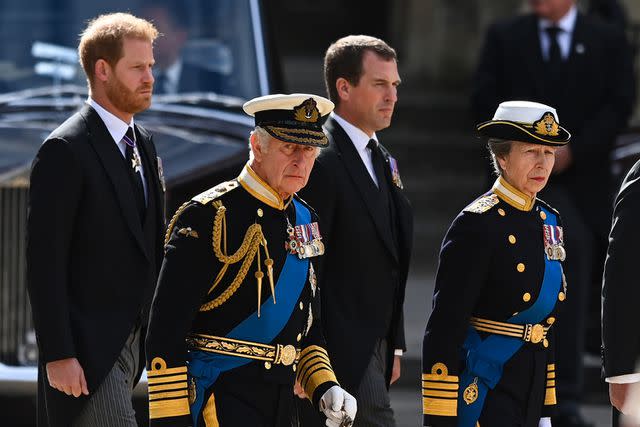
{"type": "Point", "coordinates": [205, 367]}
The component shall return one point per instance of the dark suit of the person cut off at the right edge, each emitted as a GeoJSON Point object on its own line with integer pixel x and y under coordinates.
{"type": "Point", "coordinates": [620, 290]}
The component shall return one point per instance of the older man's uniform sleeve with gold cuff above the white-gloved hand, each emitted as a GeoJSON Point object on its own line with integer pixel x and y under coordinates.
{"type": "Point", "coordinates": [314, 372]}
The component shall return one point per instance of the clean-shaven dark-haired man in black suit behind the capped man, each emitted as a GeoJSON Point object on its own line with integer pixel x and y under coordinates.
{"type": "Point", "coordinates": [367, 223]}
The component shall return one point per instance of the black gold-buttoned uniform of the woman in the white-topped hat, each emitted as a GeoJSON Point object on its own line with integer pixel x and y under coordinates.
{"type": "Point", "coordinates": [491, 267]}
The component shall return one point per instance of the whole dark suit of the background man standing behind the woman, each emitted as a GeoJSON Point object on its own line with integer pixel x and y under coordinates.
{"type": "Point", "coordinates": [593, 91]}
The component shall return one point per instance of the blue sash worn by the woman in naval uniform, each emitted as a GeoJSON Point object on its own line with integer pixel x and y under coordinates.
{"type": "Point", "coordinates": [485, 359]}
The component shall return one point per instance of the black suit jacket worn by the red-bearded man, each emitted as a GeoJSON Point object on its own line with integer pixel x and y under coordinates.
{"type": "Point", "coordinates": [92, 264]}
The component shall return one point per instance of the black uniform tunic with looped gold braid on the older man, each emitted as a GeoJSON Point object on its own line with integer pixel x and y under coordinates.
{"type": "Point", "coordinates": [187, 303]}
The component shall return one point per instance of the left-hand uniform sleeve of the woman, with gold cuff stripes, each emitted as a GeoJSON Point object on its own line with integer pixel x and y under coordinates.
{"type": "Point", "coordinates": [462, 270]}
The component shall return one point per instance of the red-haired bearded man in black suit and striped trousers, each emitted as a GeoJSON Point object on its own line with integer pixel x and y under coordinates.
{"type": "Point", "coordinates": [95, 232]}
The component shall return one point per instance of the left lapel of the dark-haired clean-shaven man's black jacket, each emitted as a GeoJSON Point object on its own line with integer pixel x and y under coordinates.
{"type": "Point", "coordinates": [362, 180]}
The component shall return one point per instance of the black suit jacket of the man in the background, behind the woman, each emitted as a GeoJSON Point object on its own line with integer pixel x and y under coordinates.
{"type": "Point", "coordinates": [594, 104]}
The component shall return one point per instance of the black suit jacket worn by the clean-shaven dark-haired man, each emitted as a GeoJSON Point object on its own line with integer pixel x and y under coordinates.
{"type": "Point", "coordinates": [363, 274]}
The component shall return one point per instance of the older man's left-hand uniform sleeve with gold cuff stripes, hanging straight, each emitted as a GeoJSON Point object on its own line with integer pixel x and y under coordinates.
{"type": "Point", "coordinates": [185, 277]}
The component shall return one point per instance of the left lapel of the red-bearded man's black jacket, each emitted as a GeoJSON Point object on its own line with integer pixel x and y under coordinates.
{"type": "Point", "coordinates": [111, 159]}
